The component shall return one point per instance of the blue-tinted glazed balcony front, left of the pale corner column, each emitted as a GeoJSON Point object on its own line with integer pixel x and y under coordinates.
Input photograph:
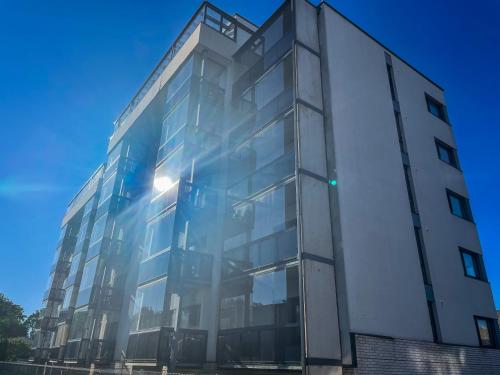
{"type": "Point", "coordinates": [199, 214]}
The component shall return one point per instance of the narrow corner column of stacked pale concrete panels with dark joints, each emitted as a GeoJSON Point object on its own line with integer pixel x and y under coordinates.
{"type": "Point", "coordinates": [321, 351]}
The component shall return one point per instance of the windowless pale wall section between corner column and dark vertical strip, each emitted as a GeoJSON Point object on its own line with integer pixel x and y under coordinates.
{"type": "Point", "coordinates": [384, 286]}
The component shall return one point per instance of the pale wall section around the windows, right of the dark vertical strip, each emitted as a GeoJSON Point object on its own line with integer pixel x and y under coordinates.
{"type": "Point", "coordinates": [458, 298]}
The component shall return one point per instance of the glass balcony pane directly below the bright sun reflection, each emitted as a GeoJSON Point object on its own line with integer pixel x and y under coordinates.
{"type": "Point", "coordinates": [159, 234]}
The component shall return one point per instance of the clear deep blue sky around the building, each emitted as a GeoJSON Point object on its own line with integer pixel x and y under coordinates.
{"type": "Point", "coordinates": [67, 69]}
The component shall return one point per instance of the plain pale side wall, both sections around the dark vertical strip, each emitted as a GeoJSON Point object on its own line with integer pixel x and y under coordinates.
{"type": "Point", "coordinates": [382, 271]}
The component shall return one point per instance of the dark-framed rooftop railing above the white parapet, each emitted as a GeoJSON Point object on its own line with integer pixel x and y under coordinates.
{"type": "Point", "coordinates": [207, 14]}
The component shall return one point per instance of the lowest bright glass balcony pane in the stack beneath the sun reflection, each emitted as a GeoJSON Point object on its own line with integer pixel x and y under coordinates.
{"type": "Point", "coordinates": [148, 306]}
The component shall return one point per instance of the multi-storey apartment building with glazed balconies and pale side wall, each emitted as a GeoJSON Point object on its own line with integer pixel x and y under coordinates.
{"type": "Point", "coordinates": [278, 198]}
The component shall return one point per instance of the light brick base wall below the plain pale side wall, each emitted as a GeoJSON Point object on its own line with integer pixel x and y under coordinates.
{"type": "Point", "coordinates": [386, 356]}
